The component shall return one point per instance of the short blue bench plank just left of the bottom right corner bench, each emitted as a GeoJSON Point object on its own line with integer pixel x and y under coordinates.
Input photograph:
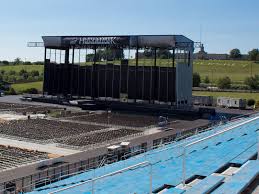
{"type": "Point", "coordinates": [206, 185]}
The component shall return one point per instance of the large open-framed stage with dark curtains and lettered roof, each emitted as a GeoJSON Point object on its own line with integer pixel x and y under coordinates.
{"type": "Point", "coordinates": [153, 69]}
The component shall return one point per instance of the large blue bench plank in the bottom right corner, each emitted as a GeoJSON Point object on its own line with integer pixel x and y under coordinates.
{"type": "Point", "coordinates": [247, 173]}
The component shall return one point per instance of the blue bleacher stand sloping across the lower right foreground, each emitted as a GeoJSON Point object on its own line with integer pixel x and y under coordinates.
{"type": "Point", "coordinates": [203, 159]}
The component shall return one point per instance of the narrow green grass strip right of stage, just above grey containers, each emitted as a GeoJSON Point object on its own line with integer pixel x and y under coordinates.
{"type": "Point", "coordinates": [227, 94]}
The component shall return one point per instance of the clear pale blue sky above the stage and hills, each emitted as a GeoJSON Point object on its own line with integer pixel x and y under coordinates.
{"type": "Point", "coordinates": [220, 24]}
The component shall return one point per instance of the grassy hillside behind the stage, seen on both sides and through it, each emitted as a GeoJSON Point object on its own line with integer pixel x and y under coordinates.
{"type": "Point", "coordinates": [214, 69]}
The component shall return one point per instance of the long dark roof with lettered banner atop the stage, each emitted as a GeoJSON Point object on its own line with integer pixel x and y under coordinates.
{"type": "Point", "coordinates": [126, 41]}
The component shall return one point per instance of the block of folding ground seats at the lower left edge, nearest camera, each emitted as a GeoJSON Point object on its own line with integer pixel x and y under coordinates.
{"type": "Point", "coordinates": [13, 157]}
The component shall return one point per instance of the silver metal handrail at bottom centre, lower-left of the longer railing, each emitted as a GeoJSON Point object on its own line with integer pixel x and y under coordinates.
{"type": "Point", "coordinates": [146, 163]}
